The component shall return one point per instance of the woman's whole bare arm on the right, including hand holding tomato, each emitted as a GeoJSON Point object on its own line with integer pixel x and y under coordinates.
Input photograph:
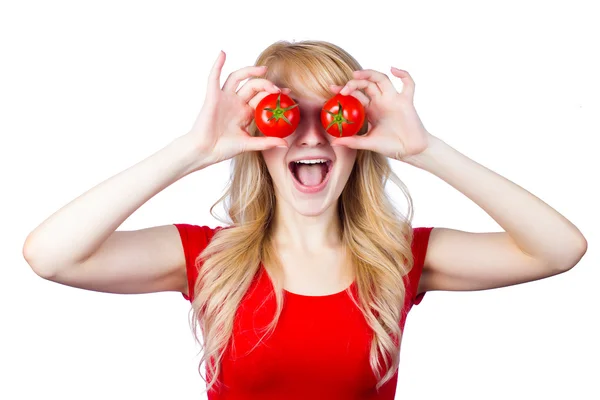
{"type": "Point", "coordinates": [538, 242]}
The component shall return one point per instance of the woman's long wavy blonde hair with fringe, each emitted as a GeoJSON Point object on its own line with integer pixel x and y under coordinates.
{"type": "Point", "coordinates": [377, 237]}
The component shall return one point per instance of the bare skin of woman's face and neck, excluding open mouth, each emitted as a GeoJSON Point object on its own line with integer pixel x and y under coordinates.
{"type": "Point", "coordinates": [308, 223]}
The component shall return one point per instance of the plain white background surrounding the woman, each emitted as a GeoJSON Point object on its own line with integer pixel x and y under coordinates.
{"type": "Point", "coordinates": [91, 88]}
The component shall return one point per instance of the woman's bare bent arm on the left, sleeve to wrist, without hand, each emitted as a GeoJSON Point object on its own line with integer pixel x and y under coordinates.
{"type": "Point", "coordinates": [79, 246]}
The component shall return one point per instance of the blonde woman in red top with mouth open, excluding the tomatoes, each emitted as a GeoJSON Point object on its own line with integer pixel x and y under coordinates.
{"type": "Point", "coordinates": [303, 295]}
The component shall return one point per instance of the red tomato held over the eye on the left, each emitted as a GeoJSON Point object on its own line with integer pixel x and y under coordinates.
{"type": "Point", "coordinates": [277, 115]}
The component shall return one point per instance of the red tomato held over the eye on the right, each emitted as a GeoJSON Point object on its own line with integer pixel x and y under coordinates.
{"type": "Point", "coordinates": [342, 115]}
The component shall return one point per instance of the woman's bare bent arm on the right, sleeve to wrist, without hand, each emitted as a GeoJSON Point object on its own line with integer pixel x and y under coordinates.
{"type": "Point", "coordinates": [538, 242]}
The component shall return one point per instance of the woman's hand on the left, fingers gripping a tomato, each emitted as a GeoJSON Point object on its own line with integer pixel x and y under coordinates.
{"type": "Point", "coordinates": [220, 130]}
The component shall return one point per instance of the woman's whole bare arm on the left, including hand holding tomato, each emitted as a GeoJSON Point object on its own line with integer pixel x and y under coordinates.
{"type": "Point", "coordinates": [79, 246]}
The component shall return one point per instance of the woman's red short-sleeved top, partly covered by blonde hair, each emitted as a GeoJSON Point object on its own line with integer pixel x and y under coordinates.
{"type": "Point", "coordinates": [319, 348]}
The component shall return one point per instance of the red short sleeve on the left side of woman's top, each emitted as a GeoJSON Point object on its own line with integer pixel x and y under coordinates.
{"type": "Point", "coordinates": [194, 239]}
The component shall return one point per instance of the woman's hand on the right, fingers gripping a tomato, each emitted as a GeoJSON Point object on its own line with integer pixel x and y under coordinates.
{"type": "Point", "coordinates": [395, 129]}
